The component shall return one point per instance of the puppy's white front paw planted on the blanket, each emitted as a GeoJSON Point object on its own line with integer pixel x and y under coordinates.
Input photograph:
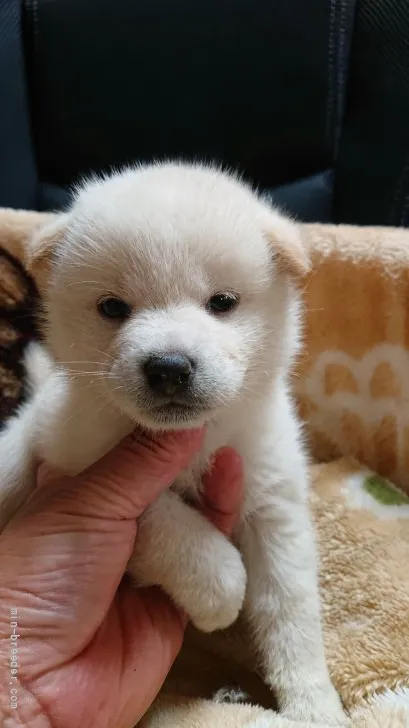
{"type": "Point", "coordinates": [317, 704]}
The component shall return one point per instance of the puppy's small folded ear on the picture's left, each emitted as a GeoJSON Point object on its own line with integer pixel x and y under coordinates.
{"type": "Point", "coordinates": [41, 248]}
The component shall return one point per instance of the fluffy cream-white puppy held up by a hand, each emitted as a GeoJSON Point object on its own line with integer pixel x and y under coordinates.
{"type": "Point", "coordinates": [170, 302]}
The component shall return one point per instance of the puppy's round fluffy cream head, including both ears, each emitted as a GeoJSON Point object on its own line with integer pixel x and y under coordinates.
{"type": "Point", "coordinates": [165, 291]}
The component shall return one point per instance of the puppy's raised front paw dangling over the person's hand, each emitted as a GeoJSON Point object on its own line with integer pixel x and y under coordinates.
{"type": "Point", "coordinates": [218, 600]}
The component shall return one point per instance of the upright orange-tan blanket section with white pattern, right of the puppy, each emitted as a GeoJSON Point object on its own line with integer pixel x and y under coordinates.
{"type": "Point", "coordinates": [353, 377]}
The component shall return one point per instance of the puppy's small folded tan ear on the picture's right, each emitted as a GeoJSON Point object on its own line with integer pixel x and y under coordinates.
{"type": "Point", "coordinates": [289, 249]}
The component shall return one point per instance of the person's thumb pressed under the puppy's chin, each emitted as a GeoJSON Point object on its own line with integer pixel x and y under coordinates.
{"type": "Point", "coordinates": [126, 480]}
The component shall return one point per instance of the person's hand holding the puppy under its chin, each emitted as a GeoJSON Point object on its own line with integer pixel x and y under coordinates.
{"type": "Point", "coordinates": [91, 649]}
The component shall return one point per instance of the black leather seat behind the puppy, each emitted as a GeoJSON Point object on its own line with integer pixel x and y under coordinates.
{"type": "Point", "coordinates": [310, 99]}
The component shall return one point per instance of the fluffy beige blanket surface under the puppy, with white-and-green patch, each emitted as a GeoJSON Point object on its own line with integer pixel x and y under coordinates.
{"type": "Point", "coordinates": [363, 527]}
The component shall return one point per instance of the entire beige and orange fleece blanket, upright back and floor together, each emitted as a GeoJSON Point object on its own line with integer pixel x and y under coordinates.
{"type": "Point", "coordinates": [352, 384]}
